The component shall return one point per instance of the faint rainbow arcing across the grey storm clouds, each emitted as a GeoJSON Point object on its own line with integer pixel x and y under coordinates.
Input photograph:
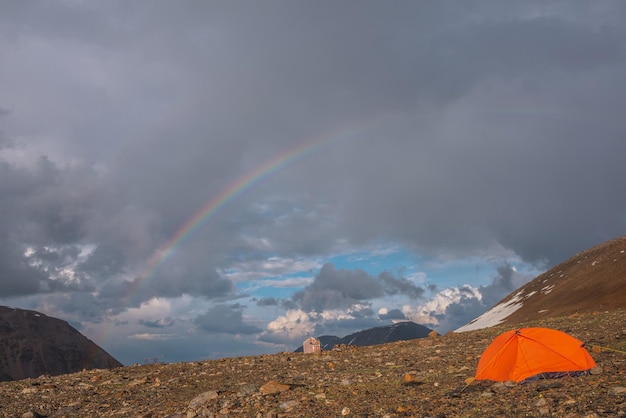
{"type": "Point", "coordinates": [236, 189]}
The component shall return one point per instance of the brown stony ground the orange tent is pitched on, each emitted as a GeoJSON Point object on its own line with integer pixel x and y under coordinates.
{"type": "Point", "coordinates": [420, 378]}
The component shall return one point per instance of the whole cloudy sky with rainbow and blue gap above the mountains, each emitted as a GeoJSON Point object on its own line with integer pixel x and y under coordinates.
{"type": "Point", "coordinates": [191, 180]}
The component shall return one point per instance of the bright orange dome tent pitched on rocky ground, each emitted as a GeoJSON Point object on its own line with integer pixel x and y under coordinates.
{"type": "Point", "coordinates": [528, 352]}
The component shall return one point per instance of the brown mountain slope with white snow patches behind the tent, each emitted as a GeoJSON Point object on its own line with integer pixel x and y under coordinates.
{"type": "Point", "coordinates": [592, 280]}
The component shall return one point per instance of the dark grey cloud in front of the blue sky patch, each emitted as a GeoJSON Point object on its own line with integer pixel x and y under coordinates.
{"type": "Point", "coordinates": [340, 289]}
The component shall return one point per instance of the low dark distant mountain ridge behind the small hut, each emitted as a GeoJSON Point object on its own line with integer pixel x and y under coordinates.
{"type": "Point", "coordinates": [400, 331]}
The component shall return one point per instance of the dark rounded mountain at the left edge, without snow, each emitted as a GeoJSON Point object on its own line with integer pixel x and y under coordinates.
{"type": "Point", "coordinates": [33, 344]}
